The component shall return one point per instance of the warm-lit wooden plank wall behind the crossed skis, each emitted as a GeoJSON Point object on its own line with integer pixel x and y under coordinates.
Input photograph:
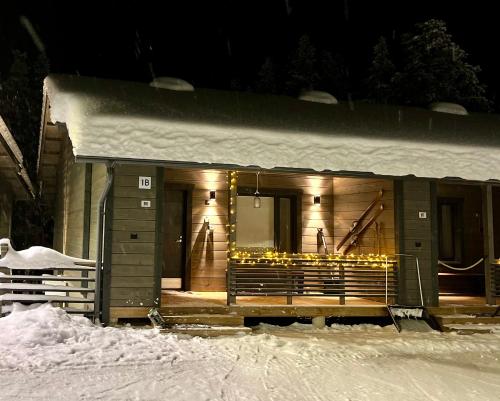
{"type": "Point", "coordinates": [351, 196]}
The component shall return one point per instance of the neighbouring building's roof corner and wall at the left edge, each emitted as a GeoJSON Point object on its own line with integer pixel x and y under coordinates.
{"type": "Point", "coordinates": [15, 183]}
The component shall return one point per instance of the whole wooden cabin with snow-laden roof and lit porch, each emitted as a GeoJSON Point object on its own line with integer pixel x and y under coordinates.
{"type": "Point", "coordinates": [184, 189]}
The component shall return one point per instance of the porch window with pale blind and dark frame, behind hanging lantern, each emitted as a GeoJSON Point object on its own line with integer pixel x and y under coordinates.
{"type": "Point", "coordinates": [273, 225]}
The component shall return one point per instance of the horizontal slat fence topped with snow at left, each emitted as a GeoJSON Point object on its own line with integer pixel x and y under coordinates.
{"type": "Point", "coordinates": [39, 275]}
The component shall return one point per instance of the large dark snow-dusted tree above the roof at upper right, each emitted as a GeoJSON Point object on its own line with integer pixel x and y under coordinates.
{"type": "Point", "coordinates": [436, 69]}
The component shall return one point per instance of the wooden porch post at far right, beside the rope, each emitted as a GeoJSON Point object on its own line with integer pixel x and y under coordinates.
{"type": "Point", "coordinates": [489, 244]}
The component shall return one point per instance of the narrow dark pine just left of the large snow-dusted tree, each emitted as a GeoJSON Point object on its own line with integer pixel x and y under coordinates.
{"type": "Point", "coordinates": [381, 73]}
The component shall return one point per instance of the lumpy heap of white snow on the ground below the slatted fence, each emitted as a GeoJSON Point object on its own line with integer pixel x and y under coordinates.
{"type": "Point", "coordinates": [45, 337]}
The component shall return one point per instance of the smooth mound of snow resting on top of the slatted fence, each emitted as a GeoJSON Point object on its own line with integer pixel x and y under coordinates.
{"type": "Point", "coordinates": [36, 257]}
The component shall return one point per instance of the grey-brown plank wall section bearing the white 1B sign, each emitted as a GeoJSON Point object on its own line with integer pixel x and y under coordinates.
{"type": "Point", "coordinates": [132, 260]}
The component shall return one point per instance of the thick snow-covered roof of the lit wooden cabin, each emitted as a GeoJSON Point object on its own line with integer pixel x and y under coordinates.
{"type": "Point", "coordinates": [127, 120]}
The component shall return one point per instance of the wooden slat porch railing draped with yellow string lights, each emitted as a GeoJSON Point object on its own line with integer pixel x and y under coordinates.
{"type": "Point", "coordinates": [325, 277]}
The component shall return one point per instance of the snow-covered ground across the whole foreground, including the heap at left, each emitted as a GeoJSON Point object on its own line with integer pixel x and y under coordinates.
{"type": "Point", "coordinates": [48, 355]}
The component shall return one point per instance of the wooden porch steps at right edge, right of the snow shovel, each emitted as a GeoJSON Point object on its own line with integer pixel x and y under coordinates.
{"type": "Point", "coordinates": [468, 324]}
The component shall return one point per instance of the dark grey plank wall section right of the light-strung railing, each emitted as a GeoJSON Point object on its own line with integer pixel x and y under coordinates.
{"type": "Point", "coordinates": [416, 237]}
